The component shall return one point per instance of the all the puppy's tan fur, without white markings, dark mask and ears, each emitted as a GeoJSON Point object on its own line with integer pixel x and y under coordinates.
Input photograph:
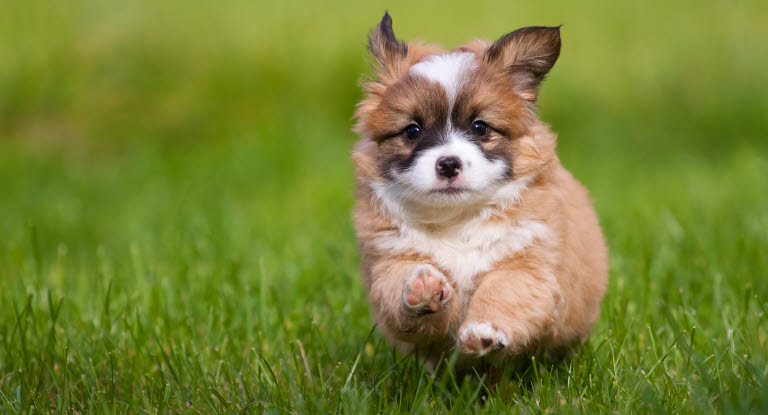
{"type": "Point", "coordinates": [544, 297]}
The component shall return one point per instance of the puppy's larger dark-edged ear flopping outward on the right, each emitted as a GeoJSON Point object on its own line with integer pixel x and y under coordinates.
{"type": "Point", "coordinates": [526, 55]}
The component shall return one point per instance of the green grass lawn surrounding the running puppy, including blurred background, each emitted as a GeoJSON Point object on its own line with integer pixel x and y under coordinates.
{"type": "Point", "coordinates": [175, 195]}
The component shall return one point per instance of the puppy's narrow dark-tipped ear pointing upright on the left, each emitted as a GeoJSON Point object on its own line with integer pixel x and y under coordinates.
{"type": "Point", "coordinates": [389, 53]}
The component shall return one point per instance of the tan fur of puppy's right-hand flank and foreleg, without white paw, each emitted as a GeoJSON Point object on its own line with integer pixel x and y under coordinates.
{"type": "Point", "coordinates": [550, 294]}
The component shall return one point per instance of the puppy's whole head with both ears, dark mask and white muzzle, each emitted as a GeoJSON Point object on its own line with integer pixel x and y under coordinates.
{"type": "Point", "coordinates": [454, 127]}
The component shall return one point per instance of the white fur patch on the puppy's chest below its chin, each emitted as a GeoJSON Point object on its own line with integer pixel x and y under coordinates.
{"type": "Point", "coordinates": [465, 250]}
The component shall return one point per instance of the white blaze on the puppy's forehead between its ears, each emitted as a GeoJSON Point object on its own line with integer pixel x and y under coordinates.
{"type": "Point", "coordinates": [447, 69]}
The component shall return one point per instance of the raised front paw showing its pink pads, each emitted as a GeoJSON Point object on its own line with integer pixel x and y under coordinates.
{"type": "Point", "coordinates": [426, 290]}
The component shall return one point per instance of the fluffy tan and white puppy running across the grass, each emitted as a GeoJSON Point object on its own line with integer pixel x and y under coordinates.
{"type": "Point", "coordinates": [472, 235]}
